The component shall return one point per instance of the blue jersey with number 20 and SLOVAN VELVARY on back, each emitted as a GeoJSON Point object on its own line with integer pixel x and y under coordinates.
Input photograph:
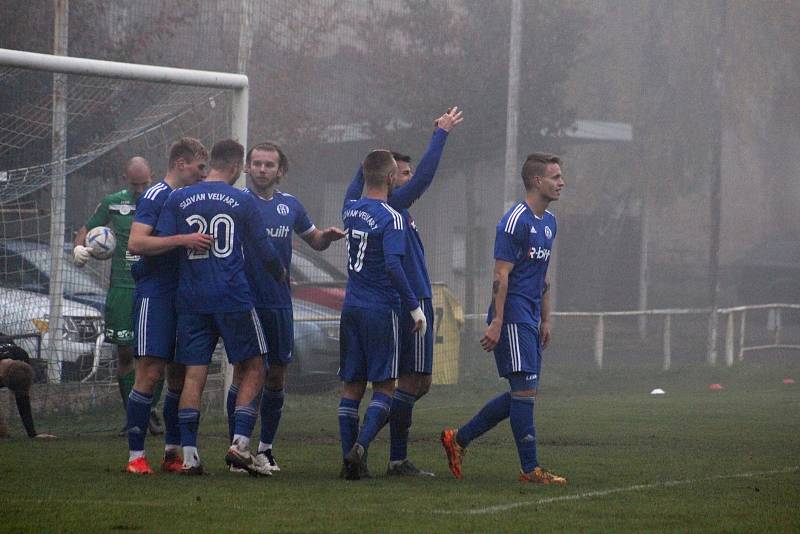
{"type": "Point", "coordinates": [214, 281]}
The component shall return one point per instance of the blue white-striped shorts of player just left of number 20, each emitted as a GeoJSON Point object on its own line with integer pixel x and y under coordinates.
{"type": "Point", "coordinates": [154, 324]}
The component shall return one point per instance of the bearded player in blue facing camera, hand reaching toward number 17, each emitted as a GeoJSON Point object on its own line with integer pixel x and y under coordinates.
{"type": "Point", "coordinates": [284, 215]}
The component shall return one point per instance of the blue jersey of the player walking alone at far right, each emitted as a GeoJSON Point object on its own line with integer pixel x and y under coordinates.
{"type": "Point", "coordinates": [525, 240]}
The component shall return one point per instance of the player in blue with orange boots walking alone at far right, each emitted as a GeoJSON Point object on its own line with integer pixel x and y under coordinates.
{"type": "Point", "coordinates": [518, 319]}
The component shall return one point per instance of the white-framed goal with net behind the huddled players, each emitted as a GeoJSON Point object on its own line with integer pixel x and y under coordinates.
{"type": "Point", "coordinates": [108, 120]}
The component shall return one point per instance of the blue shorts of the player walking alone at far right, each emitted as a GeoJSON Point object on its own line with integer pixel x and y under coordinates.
{"type": "Point", "coordinates": [518, 351]}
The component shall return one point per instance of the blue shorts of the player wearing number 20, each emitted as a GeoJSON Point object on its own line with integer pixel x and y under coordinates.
{"type": "Point", "coordinates": [198, 334]}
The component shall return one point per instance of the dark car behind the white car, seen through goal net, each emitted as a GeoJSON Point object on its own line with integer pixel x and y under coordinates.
{"type": "Point", "coordinates": [25, 265]}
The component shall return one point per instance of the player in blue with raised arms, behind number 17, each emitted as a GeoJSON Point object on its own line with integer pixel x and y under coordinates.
{"type": "Point", "coordinates": [416, 350]}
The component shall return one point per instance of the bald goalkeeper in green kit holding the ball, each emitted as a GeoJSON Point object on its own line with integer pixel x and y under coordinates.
{"type": "Point", "coordinates": [117, 211]}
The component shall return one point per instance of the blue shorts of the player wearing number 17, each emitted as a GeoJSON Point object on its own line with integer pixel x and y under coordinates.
{"type": "Point", "coordinates": [368, 345]}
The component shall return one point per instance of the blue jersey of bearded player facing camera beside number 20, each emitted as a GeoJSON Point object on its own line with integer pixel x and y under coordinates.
{"type": "Point", "coordinates": [283, 214]}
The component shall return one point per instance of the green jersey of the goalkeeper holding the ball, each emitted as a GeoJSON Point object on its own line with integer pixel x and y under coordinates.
{"type": "Point", "coordinates": [116, 211]}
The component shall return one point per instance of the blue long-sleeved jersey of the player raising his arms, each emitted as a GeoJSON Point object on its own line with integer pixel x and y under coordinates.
{"type": "Point", "coordinates": [401, 199]}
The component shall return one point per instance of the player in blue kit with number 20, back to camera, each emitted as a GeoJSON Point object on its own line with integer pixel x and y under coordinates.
{"type": "Point", "coordinates": [213, 298]}
